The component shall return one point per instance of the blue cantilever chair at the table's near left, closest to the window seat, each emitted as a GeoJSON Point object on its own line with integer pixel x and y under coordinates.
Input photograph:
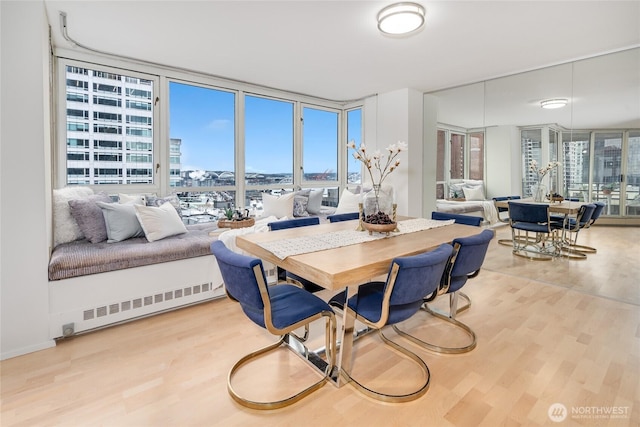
{"type": "Point", "coordinates": [280, 310]}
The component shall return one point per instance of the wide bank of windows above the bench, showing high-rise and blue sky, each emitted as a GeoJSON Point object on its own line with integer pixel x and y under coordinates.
{"type": "Point", "coordinates": [219, 147]}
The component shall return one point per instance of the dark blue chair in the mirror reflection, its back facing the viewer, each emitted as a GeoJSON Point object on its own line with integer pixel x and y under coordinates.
{"type": "Point", "coordinates": [532, 233]}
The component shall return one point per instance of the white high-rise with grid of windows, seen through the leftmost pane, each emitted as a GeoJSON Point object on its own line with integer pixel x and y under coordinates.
{"type": "Point", "coordinates": [109, 128]}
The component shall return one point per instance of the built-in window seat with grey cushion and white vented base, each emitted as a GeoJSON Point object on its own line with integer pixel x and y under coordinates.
{"type": "Point", "coordinates": [93, 285]}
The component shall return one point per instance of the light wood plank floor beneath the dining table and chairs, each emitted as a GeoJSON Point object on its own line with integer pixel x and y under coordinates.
{"type": "Point", "coordinates": [548, 332]}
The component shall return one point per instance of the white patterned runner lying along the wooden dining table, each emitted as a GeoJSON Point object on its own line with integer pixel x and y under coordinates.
{"type": "Point", "coordinates": [335, 239]}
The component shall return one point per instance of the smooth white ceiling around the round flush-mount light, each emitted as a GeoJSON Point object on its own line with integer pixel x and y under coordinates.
{"type": "Point", "coordinates": [333, 49]}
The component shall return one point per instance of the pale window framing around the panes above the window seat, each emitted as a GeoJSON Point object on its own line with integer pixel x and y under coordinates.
{"type": "Point", "coordinates": [161, 76]}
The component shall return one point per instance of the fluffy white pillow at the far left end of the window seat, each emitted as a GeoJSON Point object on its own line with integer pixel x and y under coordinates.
{"type": "Point", "coordinates": [65, 227]}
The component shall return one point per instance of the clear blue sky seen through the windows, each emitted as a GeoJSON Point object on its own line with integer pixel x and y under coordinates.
{"type": "Point", "coordinates": [204, 120]}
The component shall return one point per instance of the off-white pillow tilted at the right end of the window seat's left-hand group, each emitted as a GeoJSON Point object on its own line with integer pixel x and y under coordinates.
{"type": "Point", "coordinates": [159, 222]}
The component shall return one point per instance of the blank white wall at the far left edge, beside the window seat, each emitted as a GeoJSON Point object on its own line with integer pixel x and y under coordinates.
{"type": "Point", "coordinates": [24, 192]}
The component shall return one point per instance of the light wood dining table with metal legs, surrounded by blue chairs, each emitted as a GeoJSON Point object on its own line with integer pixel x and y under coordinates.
{"type": "Point", "coordinates": [344, 268]}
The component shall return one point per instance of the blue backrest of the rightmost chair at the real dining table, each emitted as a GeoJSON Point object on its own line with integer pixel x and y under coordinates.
{"type": "Point", "coordinates": [470, 257]}
